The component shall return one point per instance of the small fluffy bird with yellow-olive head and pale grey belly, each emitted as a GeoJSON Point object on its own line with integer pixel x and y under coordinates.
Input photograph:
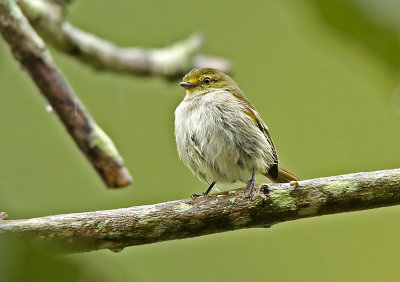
{"type": "Point", "coordinates": [220, 135]}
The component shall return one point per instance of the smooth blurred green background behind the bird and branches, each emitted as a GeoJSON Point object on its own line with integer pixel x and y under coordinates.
{"type": "Point", "coordinates": [324, 75]}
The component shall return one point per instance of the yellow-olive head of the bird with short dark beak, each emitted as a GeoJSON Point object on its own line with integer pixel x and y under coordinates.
{"type": "Point", "coordinates": [202, 81]}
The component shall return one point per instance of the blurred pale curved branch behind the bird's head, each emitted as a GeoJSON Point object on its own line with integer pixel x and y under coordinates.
{"type": "Point", "coordinates": [47, 17]}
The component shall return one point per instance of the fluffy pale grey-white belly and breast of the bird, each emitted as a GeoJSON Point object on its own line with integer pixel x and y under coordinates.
{"type": "Point", "coordinates": [219, 146]}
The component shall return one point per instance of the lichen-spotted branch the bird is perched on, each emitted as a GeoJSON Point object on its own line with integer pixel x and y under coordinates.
{"type": "Point", "coordinates": [227, 211]}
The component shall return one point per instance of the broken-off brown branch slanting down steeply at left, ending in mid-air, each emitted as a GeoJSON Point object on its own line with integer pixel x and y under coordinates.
{"type": "Point", "coordinates": [29, 49]}
